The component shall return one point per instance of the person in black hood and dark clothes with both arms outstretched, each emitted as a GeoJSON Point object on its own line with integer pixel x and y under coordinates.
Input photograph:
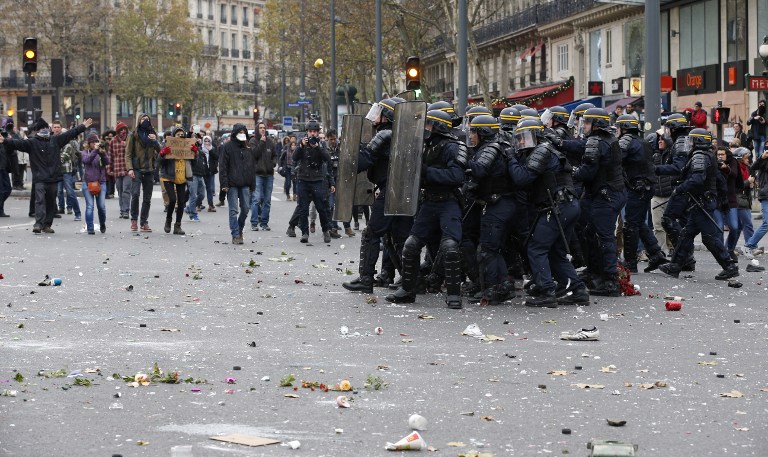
{"type": "Point", "coordinates": [45, 160]}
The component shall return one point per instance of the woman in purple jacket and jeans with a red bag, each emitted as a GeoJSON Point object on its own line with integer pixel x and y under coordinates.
{"type": "Point", "coordinates": [95, 181]}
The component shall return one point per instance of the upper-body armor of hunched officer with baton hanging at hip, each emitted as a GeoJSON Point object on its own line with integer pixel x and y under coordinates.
{"type": "Point", "coordinates": [558, 184]}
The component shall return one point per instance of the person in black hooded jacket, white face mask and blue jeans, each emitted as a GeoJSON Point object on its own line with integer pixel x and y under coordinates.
{"type": "Point", "coordinates": [237, 177]}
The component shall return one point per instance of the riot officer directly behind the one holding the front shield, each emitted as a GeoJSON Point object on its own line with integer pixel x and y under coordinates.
{"type": "Point", "coordinates": [494, 194]}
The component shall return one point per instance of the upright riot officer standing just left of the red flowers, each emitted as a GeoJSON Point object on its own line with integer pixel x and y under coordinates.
{"type": "Point", "coordinates": [604, 196]}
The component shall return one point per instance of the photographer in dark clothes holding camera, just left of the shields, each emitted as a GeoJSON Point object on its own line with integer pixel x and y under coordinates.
{"type": "Point", "coordinates": [310, 155]}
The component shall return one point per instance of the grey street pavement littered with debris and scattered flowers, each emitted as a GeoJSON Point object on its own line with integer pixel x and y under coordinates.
{"type": "Point", "coordinates": [233, 321]}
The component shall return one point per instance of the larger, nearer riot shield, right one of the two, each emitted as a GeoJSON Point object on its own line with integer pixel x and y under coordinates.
{"type": "Point", "coordinates": [402, 197]}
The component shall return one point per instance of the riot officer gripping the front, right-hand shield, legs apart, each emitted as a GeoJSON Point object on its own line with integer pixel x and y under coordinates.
{"type": "Point", "coordinates": [439, 216]}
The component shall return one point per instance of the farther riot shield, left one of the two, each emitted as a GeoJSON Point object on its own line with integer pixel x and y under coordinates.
{"type": "Point", "coordinates": [349, 147]}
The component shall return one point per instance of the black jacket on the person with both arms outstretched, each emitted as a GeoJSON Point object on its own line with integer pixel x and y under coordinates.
{"type": "Point", "coordinates": [45, 154]}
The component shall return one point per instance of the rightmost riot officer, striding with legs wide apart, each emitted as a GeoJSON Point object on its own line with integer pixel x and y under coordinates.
{"type": "Point", "coordinates": [699, 187]}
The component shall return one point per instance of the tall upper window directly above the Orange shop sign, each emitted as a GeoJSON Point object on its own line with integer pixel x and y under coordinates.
{"type": "Point", "coordinates": [699, 34]}
